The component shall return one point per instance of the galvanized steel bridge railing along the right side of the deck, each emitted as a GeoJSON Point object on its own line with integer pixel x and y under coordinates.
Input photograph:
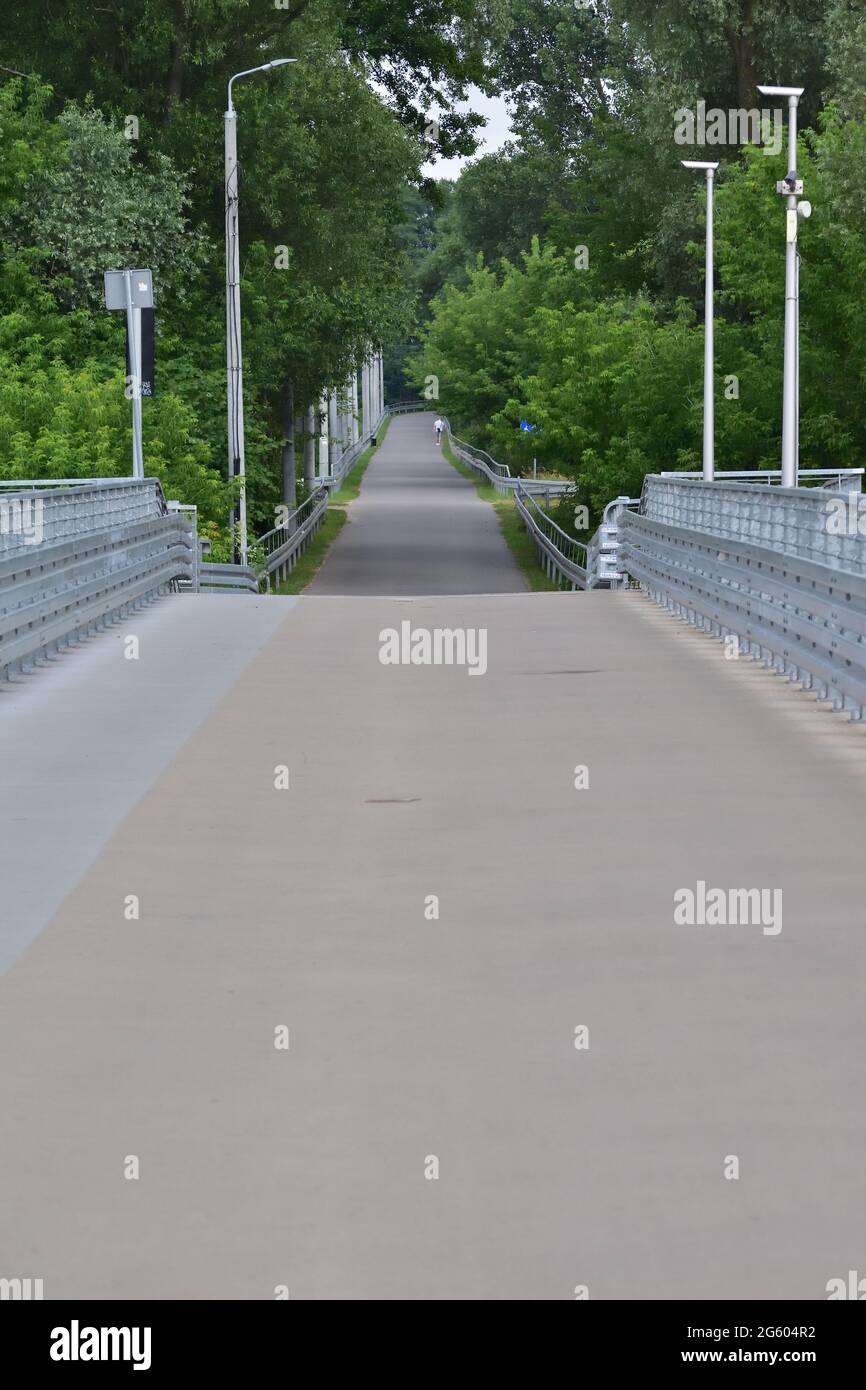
{"type": "Point", "coordinates": [783, 573]}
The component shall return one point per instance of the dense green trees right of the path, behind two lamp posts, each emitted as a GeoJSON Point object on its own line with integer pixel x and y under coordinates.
{"type": "Point", "coordinates": [565, 280]}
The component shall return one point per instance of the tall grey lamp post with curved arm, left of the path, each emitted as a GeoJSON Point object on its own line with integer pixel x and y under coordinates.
{"type": "Point", "coordinates": [237, 466]}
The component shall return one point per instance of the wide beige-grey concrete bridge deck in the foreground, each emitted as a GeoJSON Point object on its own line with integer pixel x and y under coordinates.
{"type": "Point", "coordinates": [414, 1038]}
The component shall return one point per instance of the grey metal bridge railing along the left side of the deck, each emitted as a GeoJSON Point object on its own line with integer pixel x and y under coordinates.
{"type": "Point", "coordinates": [94, 561]}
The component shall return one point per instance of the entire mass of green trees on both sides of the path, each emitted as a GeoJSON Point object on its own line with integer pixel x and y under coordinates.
{"type": "Point", "coordinates": [558, 280]}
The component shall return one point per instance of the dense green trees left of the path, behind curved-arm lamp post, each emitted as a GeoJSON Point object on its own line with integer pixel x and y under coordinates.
{"type": "Point", "coordinates": [112, 127]}
